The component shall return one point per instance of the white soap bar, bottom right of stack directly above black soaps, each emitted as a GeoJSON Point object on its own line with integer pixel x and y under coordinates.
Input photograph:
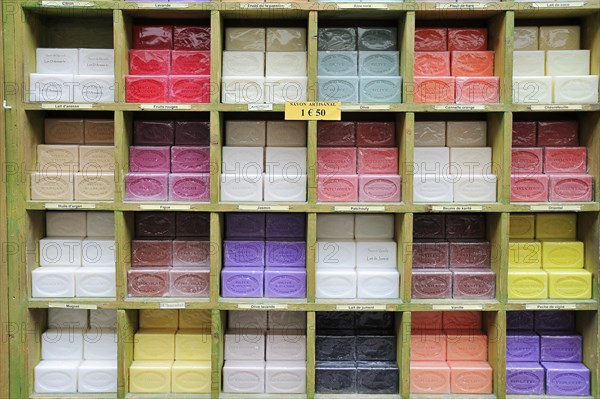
{"type": "Point", "coordinates": [378, 283]}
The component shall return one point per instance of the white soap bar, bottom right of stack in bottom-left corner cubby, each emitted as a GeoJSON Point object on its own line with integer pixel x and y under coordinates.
{"type": "Point", "coordinates": [97, 376]}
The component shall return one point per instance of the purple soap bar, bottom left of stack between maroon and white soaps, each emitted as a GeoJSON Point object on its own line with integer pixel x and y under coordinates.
{"type": "Point", "coordinates": [242, 282]}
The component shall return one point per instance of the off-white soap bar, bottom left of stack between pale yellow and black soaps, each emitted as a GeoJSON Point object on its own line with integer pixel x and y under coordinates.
{"type": "Point", "coordinates": [244, 376]}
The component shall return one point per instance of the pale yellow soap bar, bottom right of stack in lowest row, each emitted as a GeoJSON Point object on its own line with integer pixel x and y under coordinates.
{"type": "Point", "coordinates": [190, 377]}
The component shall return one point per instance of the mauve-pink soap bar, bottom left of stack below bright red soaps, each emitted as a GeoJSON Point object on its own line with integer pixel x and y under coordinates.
{"type": "Point", "coordinates": [146, 186]}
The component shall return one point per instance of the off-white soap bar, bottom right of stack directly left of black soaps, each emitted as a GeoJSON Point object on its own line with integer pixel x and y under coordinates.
{"type": "Point", "coordinates": [285, 377]}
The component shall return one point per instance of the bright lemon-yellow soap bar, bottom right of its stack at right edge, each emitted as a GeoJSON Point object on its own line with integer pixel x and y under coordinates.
{"type": "Point", "coordinates": [570, 284]}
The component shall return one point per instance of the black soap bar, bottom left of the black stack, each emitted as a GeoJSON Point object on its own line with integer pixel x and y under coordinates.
{"type": "Point", "coordinates": [335, 377]}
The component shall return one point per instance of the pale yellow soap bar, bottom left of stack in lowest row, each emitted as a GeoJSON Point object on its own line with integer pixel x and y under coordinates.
{"type": "Point", "coordinates": [150, 377]}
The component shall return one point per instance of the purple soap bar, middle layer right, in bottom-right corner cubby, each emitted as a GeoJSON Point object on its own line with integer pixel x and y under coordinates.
{"type": "Point", "coordinates": [559, 346]}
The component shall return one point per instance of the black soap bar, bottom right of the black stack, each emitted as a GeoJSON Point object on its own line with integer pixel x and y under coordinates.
{"type": "Point", "coordinates": [377, 377]}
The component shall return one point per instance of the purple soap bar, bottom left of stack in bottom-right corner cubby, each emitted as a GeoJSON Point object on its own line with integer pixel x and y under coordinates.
{"type": "Point", "coordinates": [524, 378]}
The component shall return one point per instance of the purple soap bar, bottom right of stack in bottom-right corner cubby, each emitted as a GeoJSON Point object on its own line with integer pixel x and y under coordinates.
{"type": "Point", "coordinates": [567, 379]}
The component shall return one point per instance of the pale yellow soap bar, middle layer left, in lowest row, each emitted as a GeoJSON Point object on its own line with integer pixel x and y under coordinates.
{"type": "Point", "coordinates": [154, 344]}
